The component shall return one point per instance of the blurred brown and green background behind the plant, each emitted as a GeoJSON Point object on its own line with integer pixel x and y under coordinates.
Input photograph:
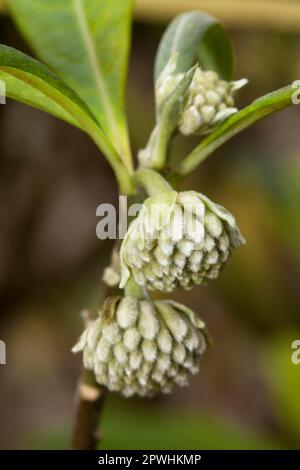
{"type": "Point", "coordinates": [52, 178]}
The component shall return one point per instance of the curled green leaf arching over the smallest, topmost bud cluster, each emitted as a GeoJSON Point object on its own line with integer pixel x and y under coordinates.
{"type": "Point", "coordinates": [197, 37]}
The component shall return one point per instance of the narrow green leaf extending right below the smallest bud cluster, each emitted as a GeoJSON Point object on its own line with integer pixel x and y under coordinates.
{"type": "Point", "coordinates": [259, 109]}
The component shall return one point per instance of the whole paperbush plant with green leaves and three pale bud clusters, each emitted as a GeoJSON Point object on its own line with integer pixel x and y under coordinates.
{"type": "Point", "coordinates": [137, 345]}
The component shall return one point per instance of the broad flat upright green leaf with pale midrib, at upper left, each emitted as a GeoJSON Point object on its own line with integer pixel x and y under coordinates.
{"type": "Point", "coordinates": [86, 42]}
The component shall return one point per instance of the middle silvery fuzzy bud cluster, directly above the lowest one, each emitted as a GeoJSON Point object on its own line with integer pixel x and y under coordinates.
{"type": "Point", "coordinates": [178, 239]}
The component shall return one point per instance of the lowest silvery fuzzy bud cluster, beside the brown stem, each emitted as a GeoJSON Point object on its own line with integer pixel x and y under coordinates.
{"type": "Point", "coordinates": [143, 347]}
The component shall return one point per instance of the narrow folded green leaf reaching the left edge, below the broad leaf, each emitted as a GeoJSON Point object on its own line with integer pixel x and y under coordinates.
{"type": "Point", "coordinates": [32, 82]}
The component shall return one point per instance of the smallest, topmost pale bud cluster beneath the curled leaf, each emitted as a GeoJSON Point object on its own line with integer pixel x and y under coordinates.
{"type": "Point", "coordinates": [208, 102]}
